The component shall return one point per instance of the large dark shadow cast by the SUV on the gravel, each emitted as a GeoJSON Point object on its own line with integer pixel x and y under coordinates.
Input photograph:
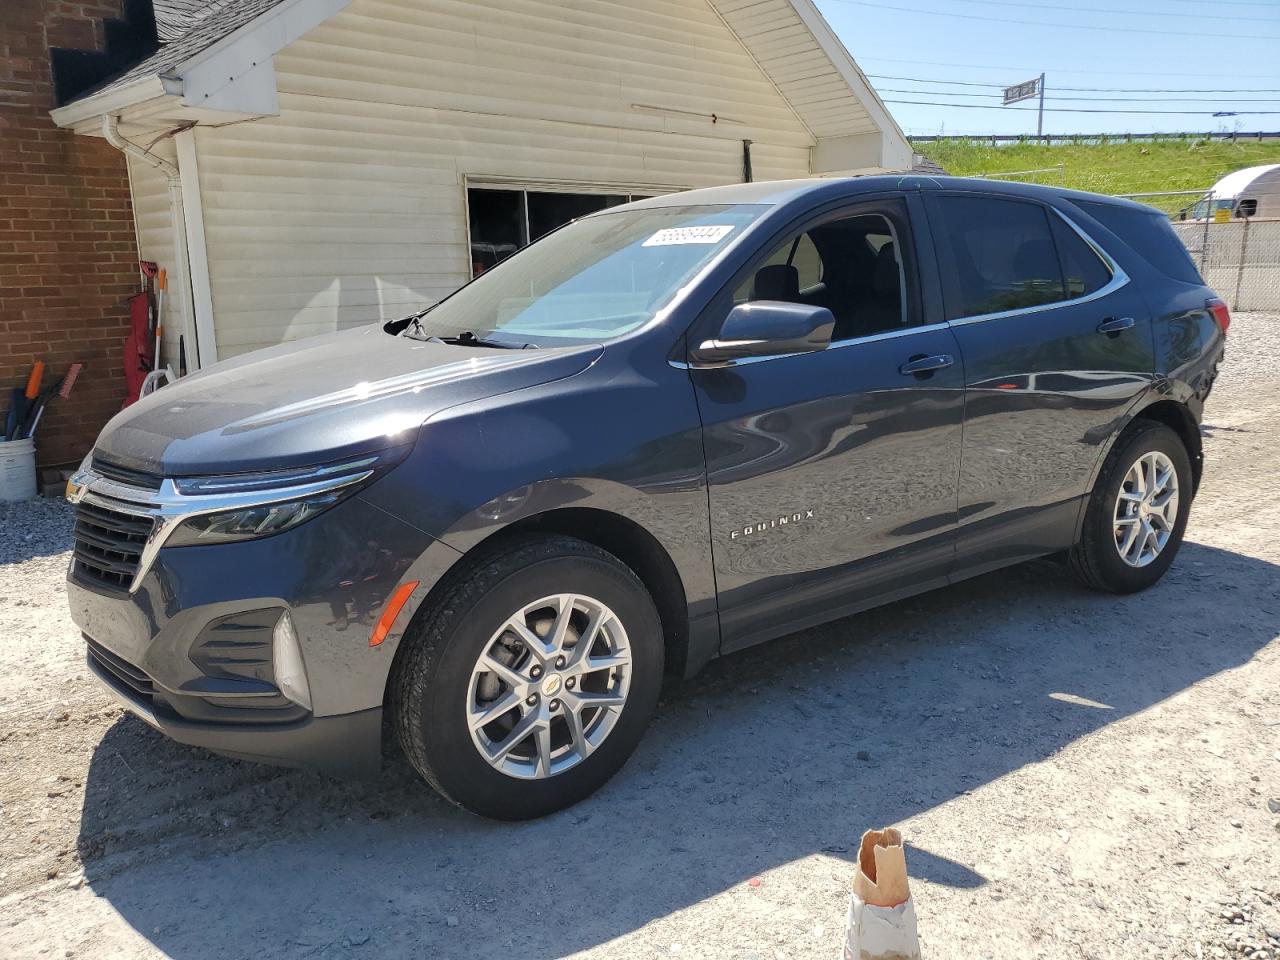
{"type": "Point", "coordinates": [784, 752]}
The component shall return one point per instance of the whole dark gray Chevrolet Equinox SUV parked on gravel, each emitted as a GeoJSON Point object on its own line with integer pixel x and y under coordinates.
{"type": "Point", "coordinates": [666, 432]}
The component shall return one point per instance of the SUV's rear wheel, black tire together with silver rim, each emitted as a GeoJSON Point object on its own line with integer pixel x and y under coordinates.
{"type": "Point", "coordinates": [1135, 524]}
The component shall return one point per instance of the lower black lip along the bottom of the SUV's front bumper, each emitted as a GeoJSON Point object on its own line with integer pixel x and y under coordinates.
{"type": "Point", "coordinates": [348, 746]}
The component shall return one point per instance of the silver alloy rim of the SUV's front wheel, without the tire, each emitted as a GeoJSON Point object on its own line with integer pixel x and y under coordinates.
{"type": "Point", "coordinates": [550, 687]}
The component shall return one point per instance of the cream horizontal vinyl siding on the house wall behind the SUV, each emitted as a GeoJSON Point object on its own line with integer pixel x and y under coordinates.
{"type": "Point", "coordinates": [350, 207]}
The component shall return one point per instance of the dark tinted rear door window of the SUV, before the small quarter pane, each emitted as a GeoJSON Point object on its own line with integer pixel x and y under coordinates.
{"type": "Point", "coordinates": [1000, 255]}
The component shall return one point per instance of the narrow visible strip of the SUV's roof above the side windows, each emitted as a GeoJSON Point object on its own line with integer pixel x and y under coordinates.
{"type": "Point", "coordinates": [824, 189]}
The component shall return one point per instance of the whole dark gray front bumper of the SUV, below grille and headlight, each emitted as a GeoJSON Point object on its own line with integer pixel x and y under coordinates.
{"type": "Point", "coordinates": [191, 650]}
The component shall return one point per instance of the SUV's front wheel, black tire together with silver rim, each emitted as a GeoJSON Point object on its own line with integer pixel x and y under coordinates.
{"type": "Point", "coordinates": [532, 680]}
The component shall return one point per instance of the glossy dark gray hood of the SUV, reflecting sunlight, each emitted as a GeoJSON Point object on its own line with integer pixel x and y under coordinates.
{"type": "Point", "coordinates": [318, 400]}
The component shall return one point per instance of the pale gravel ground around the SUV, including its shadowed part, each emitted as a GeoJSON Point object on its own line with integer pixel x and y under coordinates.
{"type": "Point", "coordinates": [1077, 776]}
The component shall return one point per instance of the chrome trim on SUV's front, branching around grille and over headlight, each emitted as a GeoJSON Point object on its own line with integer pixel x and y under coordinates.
{"type": "Point", "coordinates": [168, 509]}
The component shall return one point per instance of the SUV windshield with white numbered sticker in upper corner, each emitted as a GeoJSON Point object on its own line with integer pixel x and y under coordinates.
{"type": "Point", "coordinates": [592, 281]}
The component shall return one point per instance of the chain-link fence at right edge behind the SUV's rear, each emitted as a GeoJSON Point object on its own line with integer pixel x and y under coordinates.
{"type": "Point", "coordinates": [1238, 257]}
